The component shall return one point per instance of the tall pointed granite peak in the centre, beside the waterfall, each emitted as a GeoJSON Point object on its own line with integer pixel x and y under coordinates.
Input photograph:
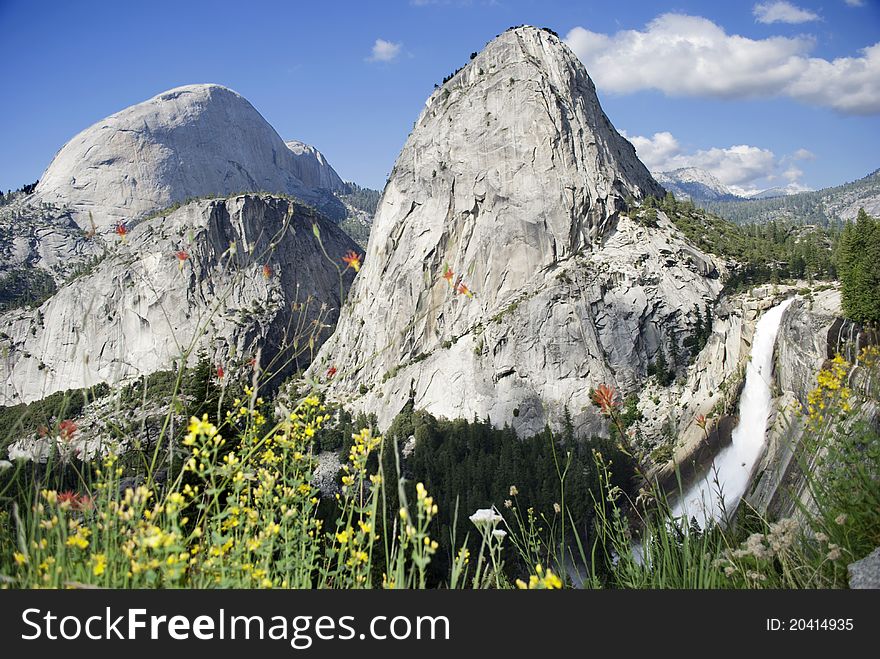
{"type": "Point", "coordinates": [515, 184]}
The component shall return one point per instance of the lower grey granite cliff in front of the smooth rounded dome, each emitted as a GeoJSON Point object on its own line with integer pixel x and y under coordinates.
{"type": "Point", "coordinates": [227, 277]}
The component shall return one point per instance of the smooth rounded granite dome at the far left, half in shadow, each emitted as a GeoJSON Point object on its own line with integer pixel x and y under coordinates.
{"type": "Point", "coordinates": [192, 141]}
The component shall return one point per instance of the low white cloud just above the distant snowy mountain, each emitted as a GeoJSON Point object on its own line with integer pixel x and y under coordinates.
{"type": "Point", "coordinates": [745, 169]}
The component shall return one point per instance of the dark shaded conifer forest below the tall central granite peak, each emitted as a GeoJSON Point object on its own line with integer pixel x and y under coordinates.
{"type": "Point", "coordinates": [467, 465]}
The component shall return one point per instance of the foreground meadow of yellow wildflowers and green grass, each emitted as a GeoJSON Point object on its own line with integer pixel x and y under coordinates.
{"type": "Point", "coordinates": [240, 509]}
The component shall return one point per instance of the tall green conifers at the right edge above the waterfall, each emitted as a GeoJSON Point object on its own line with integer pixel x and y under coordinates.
{"type": "Point", "coordinates": [858, 263]}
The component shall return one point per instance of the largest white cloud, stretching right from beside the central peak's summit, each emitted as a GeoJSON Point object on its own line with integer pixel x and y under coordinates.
{"type": "Point", "coordinates": [684, 55]}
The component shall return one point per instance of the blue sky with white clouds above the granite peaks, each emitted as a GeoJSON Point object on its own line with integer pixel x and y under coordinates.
{"type": "Point", "coordinates": [760, 93]}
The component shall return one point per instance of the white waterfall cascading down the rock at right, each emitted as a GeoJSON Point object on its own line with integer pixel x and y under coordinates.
{"type": "Point", "coordinates": [732, 467]}
